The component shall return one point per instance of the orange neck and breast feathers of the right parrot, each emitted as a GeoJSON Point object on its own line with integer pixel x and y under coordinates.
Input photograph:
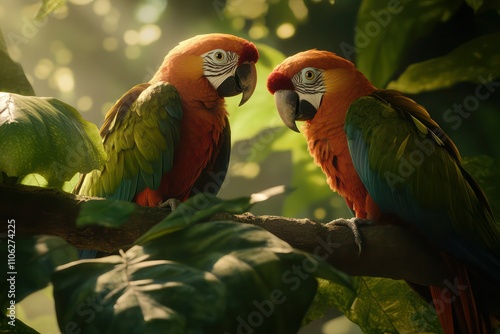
{"type": "Point", "coordinates": [328, 143]}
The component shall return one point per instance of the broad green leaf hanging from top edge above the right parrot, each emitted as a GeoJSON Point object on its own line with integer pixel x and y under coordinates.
{"type": "Point", "coordinates": [385, 31]}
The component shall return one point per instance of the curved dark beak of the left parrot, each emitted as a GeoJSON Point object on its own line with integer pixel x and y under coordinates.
{"type": "Point", "coordinates": [244, 81]}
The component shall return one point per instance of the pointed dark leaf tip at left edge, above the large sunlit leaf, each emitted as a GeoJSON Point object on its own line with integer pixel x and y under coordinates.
{"type": "Point", "coordinates": [12, 77]}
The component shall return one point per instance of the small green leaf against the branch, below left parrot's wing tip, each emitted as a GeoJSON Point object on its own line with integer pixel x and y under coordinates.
{"type": "Point", "coordinates": [108, 213]}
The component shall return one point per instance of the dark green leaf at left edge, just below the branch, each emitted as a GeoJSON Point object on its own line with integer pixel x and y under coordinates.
{"type": "Point", "coordinates": [33, 264]}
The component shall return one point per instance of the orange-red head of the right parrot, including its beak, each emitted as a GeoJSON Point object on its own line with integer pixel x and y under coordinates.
{"type": "Point", "coordinates": [306, 82]}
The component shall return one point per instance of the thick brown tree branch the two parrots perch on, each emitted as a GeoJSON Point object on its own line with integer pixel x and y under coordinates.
{"type": "Point", "coordinates": [388, 251]}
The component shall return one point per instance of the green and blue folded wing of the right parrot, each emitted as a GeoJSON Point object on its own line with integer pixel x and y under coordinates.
{"type": "Point", "coordinates": [411, 168]}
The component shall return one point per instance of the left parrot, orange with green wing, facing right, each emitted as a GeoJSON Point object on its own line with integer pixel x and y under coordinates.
{"type": "Point", "coordinates": [170, 138]}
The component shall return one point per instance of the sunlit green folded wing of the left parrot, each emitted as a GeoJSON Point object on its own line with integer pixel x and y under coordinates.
{"type": "Point", "coordinates": [140, 133]}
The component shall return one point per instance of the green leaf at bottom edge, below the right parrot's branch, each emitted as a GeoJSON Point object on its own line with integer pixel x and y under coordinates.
{"type": "Point", "coordinates": [378, 305]}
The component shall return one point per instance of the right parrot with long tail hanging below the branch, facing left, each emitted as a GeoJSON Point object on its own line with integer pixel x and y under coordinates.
{"type": "Point", "coordinates": [391, 162]}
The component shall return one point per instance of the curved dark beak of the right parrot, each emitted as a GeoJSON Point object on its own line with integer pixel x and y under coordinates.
{"type": "Point", "coordinates": [291, 108]}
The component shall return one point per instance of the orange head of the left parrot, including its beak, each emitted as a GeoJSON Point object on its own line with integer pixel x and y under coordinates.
{"type": "Point", "coordinates": [227, 62]}
